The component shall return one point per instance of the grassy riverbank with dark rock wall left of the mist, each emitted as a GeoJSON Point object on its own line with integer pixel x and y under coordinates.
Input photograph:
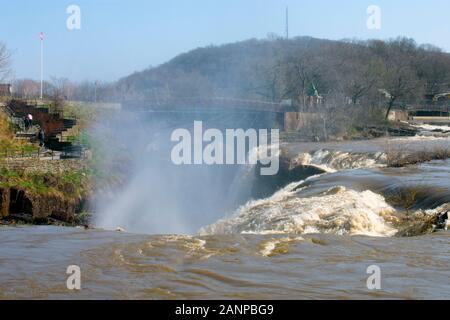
{"type": "Point", "coordinates": [39, 185]}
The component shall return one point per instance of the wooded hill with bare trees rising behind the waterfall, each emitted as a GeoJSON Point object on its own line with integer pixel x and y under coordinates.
{"type": "Point", "coordinates": [341, 71]}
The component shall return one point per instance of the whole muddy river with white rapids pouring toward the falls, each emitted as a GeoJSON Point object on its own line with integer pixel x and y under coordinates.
{"type": "Point", "coordinates": [313, 239]}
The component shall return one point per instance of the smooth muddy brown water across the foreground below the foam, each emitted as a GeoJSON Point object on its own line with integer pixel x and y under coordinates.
{"type": "Point", "coordinates": [122, 266]}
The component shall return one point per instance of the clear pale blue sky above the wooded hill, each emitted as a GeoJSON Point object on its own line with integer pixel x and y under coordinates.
{"type": "Point", "coordinates": [118, 37]}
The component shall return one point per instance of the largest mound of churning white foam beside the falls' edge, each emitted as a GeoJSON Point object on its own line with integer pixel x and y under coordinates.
{"type": "Point", "coordinates": [337, 211]}
